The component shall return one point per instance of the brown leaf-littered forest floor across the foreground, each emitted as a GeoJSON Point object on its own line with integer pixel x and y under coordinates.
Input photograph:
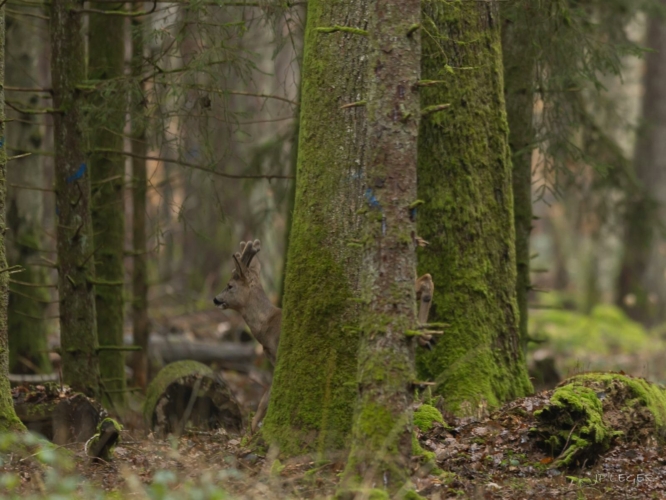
{"type": "Point", "coordinates": [492, 457]}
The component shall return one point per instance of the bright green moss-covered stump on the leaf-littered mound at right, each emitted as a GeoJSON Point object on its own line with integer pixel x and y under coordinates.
{"type": "Point", "coordinates": [588, 413]}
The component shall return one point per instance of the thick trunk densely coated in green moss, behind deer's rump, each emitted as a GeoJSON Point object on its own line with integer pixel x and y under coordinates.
{"type": "Point", "coordinates": [465, 181]}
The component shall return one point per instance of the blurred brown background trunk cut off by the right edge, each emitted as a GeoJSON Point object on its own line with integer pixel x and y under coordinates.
{"type": "Point", "coordinates": [641, 288]}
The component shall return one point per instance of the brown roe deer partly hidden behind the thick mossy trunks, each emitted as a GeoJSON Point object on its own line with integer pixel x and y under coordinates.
{"type": "Point", "coordinates": [245, 295]}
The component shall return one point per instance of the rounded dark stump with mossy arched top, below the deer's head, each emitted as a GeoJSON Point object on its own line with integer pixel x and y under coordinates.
{"type": "Point", "coordinates": [188, 394]}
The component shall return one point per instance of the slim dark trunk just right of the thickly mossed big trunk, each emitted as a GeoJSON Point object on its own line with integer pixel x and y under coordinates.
{"type": "Point", "coordinates": [519, 70]}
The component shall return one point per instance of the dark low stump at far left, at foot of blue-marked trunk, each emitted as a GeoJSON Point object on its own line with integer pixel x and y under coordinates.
{"type": "Point", "coordinates": [59, 414]}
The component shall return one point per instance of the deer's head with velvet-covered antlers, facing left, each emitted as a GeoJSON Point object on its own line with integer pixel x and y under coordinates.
{"type": "Point", "coordinates": [244, 282]}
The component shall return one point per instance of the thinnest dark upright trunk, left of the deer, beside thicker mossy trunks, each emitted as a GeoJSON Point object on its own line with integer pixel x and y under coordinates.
{"type": "Point", "coordinates": [140, 321]}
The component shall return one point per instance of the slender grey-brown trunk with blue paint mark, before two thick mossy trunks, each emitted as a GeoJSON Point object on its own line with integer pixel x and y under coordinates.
{"type": "Point", "coordinates": [382, 431]}
